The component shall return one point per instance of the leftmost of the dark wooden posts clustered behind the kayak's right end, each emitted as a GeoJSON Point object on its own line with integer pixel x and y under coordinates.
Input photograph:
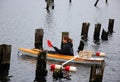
{"type": "Point", "coordinates": [84, 33]}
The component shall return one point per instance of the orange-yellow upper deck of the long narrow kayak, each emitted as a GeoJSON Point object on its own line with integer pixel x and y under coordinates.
{"type": "Point", "coordinates": [56, 56]}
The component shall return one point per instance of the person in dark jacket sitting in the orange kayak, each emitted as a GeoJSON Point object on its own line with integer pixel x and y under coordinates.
{"type": "Point", "coordinates": [67, 47]}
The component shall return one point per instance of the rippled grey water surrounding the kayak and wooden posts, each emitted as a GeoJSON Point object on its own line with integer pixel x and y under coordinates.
{"type": "Point", "coordinates": [20, 18]}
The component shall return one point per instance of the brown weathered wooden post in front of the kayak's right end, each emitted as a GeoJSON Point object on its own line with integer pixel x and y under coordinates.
{"type": "Point", "coordinates": [97, 71]}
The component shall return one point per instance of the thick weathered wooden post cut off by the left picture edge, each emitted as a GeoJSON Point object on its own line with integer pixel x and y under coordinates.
{"type": "Point", "coordinates": [5, 54]}
